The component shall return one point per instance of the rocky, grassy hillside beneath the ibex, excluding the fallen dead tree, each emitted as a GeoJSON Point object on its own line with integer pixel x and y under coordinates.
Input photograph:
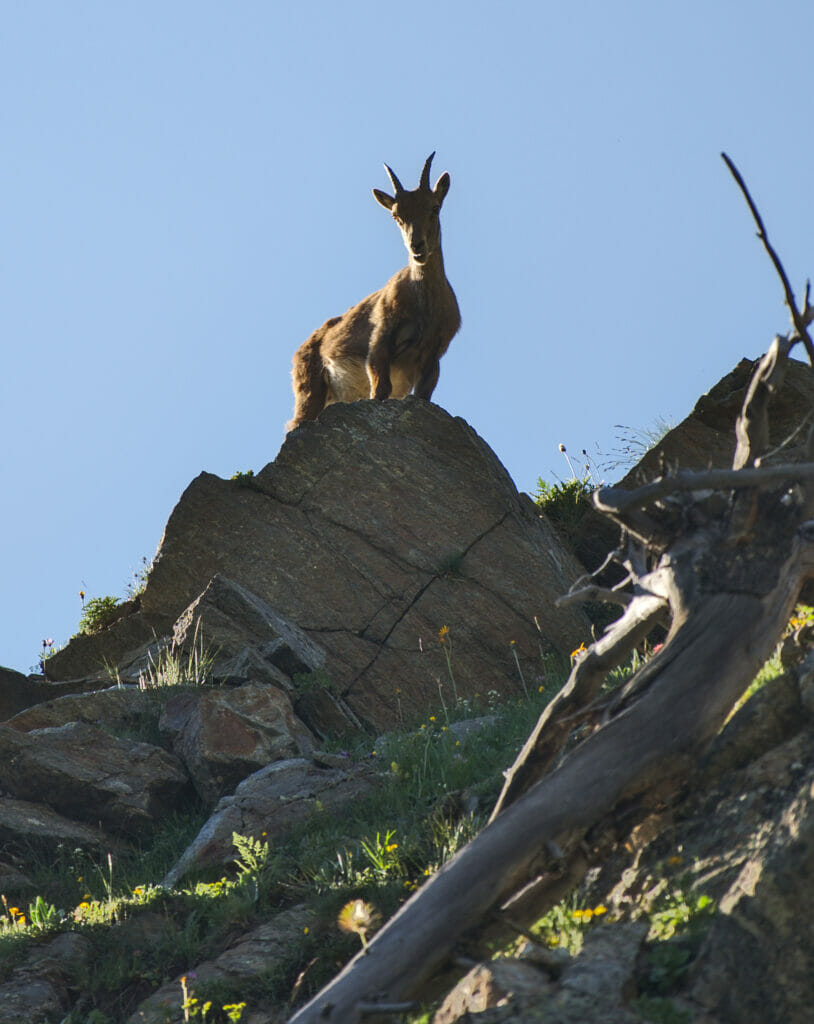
{"type": "Point", "coordinates": [312, 705]}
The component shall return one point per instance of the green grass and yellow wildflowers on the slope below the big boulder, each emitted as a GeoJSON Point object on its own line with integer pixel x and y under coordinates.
{"type": "Point", "coordinates": [352, 872]}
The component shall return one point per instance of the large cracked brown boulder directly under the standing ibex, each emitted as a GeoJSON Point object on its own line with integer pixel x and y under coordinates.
{"type": "Point", "coordinates": [374, 528]}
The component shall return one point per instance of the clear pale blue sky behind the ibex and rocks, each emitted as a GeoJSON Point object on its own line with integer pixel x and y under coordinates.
{"type": "Point", "coordinates": [186, 195]}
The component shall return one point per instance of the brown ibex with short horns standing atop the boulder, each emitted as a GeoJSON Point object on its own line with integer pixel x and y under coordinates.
{"type": "Point", "coordinates": [391, 344]}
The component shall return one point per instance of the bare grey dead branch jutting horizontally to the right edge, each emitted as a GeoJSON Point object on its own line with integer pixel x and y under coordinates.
{"type": "Point", "coordinates": [617, 500]}
